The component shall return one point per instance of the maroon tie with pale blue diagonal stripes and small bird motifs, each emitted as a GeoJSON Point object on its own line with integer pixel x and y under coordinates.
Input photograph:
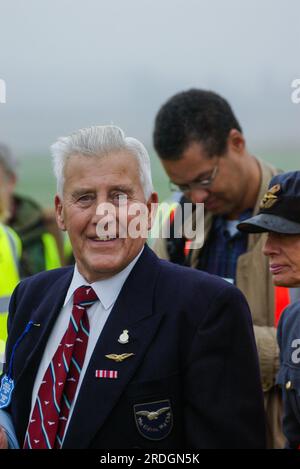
{"type": "Point", "coordinates": [52, 407]}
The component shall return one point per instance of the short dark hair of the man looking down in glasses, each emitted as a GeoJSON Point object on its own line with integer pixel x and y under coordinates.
{"type": "Point", "coordinates": [193, 116]}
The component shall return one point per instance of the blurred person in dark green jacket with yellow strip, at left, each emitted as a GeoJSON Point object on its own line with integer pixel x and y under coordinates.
{"type": "Point", "coordinates": [42, 244]}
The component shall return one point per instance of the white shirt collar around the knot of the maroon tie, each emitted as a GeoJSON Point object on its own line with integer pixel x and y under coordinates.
{"type": "Point", "coordinates": [107, 290]}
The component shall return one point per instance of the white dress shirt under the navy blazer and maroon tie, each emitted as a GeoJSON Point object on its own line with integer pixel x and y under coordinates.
{"type": "Point", "coordinates": [107, 291]}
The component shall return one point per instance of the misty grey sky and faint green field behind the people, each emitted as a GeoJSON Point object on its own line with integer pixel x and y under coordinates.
{"type": "Point", "coordinates": [73, 63]}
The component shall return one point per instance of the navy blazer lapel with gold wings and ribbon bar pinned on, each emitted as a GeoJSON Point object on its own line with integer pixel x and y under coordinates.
{"type": "Point", "coordinates": [133, 311]}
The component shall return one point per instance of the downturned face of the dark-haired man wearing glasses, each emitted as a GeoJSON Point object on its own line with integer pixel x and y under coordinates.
{"type": "Point", "coordinates": [226, 193]}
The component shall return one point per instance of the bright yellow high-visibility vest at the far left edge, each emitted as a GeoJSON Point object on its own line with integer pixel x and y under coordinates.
{"type": "Point", "coordinates": [10, 251]}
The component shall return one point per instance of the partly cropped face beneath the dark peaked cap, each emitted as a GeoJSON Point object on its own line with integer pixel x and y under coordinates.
{"type": "Point", "coordinates": [284, 258]}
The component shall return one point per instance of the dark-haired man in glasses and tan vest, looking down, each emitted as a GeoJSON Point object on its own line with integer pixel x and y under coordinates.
{"type": "Point", "coordinates": [202, 149]}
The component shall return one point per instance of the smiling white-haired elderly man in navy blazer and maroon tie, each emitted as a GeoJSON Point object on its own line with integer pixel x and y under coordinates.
{"type": "Point", "coordinates": [125, 350]}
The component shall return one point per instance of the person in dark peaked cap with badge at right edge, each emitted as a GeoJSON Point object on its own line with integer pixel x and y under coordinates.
{"type": "Point", "coordinates": [279, 216]}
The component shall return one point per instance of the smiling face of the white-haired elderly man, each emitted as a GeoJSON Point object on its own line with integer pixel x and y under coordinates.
{"type": "Point", "coordinates": [90, 182]}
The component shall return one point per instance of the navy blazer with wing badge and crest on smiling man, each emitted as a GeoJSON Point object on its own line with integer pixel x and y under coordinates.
{"type": "Point", "coordinates": [193, 381]}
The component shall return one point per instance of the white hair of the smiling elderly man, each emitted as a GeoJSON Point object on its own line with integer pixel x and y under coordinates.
{"type": "Point", "coordinates": [100, 140]}
